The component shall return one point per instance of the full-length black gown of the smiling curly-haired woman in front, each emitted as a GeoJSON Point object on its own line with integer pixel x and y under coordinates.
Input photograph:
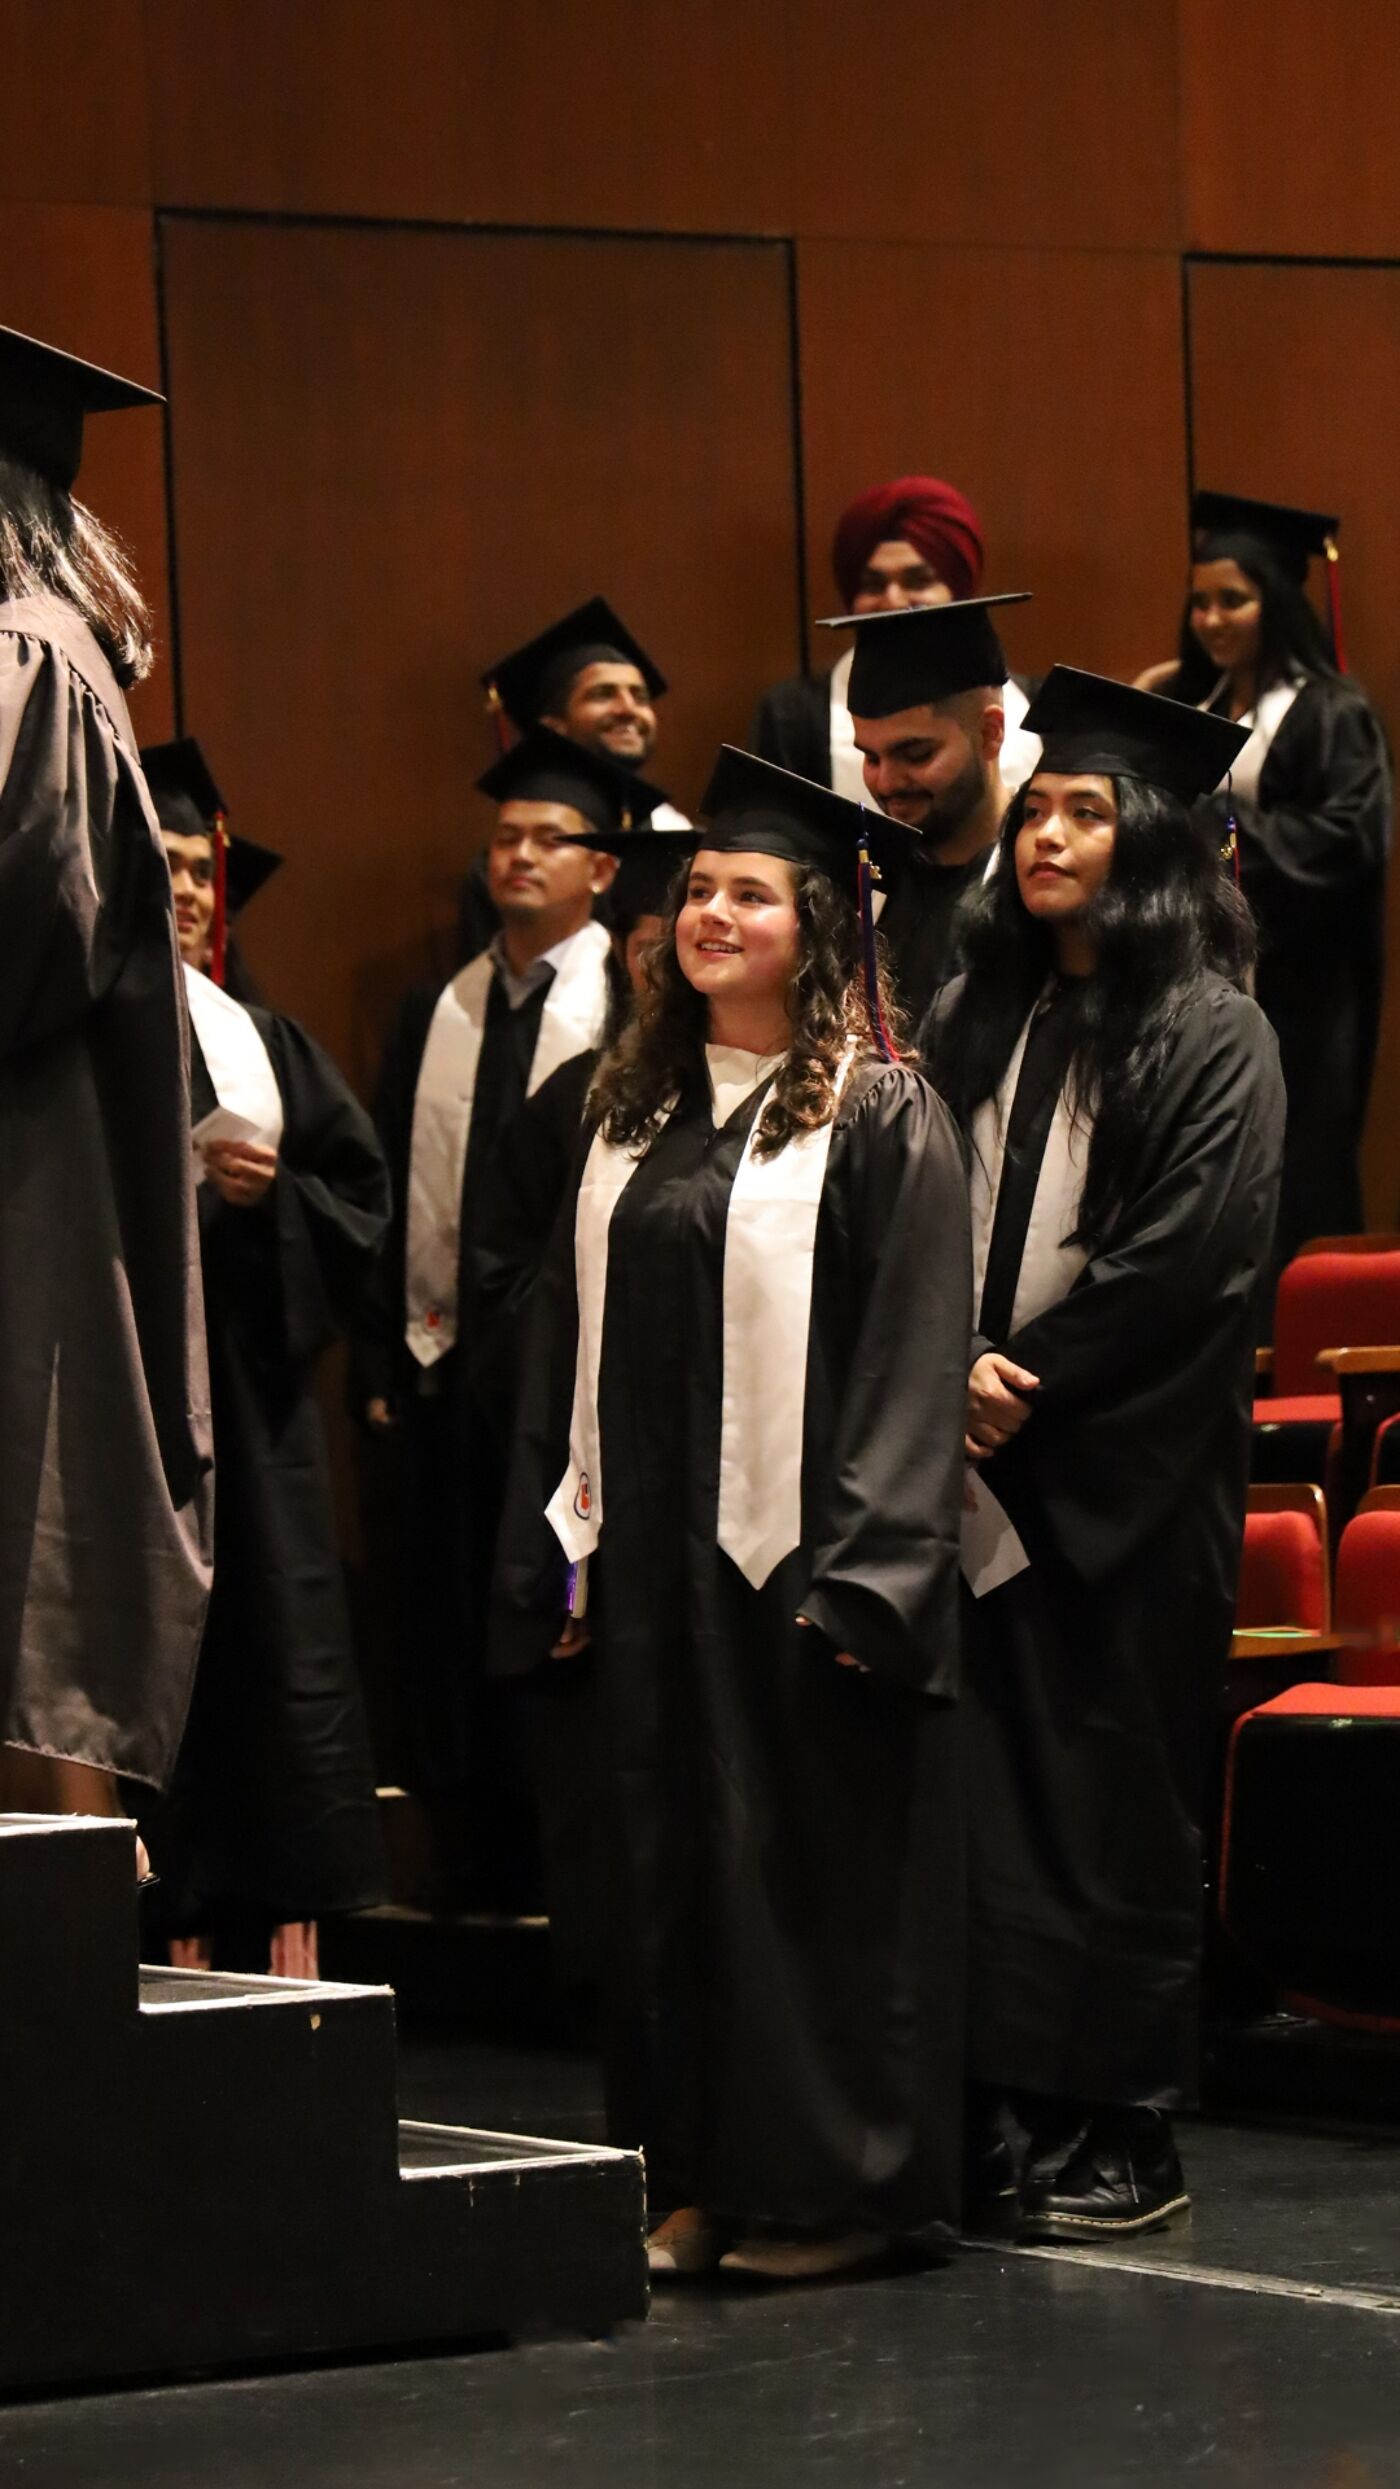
{"type": "Point", "coordinates": [783, 1982]}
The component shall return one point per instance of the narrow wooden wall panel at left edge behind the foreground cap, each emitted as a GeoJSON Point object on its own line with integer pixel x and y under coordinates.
{"type": "Point", "coordinates": [83, 280]}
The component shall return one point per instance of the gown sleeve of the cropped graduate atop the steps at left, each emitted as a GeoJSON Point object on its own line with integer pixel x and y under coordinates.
{"type": "Point", "coordinates": [78, 860]}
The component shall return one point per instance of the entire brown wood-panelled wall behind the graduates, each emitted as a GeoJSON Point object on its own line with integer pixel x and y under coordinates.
{"type": "Point", "coordinates": [475, 307]}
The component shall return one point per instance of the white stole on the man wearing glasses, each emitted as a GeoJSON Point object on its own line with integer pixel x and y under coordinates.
{"type": "Point", "coordinates": [445, 1096]}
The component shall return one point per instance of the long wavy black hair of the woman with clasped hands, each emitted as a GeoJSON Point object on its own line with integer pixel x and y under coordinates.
{"type": "Point", "coordinates": [1165, 917]}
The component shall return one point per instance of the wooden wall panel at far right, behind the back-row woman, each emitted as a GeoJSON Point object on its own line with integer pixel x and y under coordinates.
{"type": "Point", "coordinates": [1297, 380]}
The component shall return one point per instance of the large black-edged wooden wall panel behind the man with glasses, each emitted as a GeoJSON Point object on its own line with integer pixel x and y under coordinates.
{"type": "Point", "coordinates": [435, 444]}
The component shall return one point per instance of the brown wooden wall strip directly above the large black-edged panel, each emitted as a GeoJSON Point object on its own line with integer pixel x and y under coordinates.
{"type": "Point", "coordinates": [624, 113]}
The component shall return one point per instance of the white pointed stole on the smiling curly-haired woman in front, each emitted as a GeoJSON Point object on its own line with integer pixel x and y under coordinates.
{"type": "Point", "coordinates": [771, 1233]}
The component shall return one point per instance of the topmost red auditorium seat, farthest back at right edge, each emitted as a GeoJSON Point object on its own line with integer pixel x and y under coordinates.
{"type": "Point", "coordinates": [1339, 1293]}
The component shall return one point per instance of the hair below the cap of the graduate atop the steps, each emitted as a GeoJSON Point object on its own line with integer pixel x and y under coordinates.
{"type": "Point", "coordinates": [54, 546]}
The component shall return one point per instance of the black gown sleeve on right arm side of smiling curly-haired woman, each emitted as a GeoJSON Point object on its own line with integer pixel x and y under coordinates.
{"type": "Point", "coordinates": [886, 1542]}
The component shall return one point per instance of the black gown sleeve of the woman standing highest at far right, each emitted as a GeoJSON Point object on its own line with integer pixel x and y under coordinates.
{"type": "Point", "coordinates": [1327, 798]}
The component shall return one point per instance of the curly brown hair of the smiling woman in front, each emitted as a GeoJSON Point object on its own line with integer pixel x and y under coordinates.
{"type": "Point", "coordinates": [661, 1054]}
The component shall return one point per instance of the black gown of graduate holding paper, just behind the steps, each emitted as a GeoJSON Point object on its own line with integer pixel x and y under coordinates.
{"type": "Point", "coordinates": [273, 1801]}
